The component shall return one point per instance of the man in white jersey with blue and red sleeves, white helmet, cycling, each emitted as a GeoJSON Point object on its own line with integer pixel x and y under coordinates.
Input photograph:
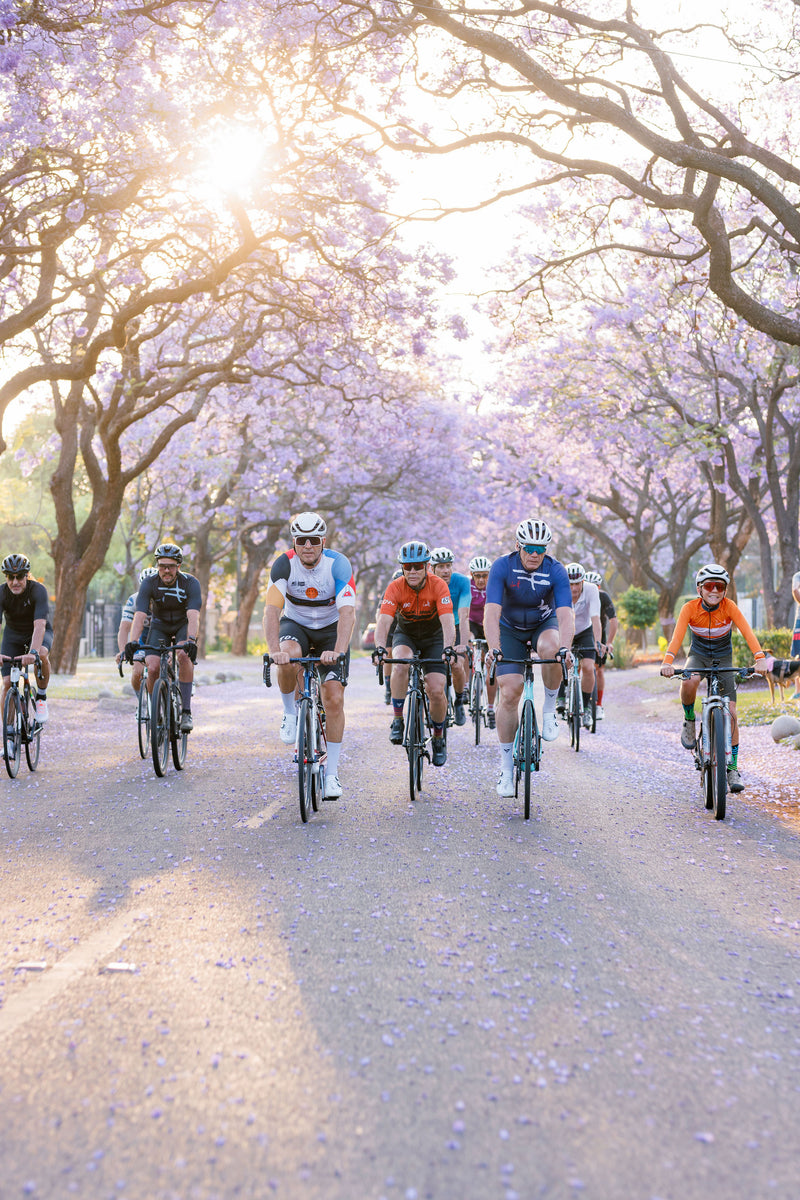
{"type": "Point", "coordinates": [311, 610]}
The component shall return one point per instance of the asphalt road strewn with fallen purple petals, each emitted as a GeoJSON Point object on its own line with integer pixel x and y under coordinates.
{"type": "Point", "coordinates": [406, 1001]}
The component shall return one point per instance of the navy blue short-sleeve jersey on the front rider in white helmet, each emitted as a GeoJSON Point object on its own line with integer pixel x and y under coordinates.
{"type": "Point", "coordinates": [527, 598]}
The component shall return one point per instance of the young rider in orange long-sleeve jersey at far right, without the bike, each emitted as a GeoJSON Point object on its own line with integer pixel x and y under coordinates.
{"type": "Point", "coordinates": [711, 620]}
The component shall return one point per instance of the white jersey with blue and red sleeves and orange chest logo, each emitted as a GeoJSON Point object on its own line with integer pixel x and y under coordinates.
{"type": "Point", "coordinates": [312, 596]}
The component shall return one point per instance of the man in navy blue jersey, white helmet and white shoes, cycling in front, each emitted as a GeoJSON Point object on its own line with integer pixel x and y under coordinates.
{"type": "Point", "coordinates": [528, 609]}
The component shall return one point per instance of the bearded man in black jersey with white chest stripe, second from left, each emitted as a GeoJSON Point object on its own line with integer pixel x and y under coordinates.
{"type": "Point", "coordinates": [173, 601]}
